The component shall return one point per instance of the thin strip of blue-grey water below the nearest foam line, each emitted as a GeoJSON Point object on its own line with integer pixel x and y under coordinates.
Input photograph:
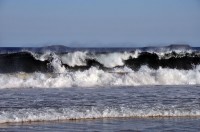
{"type": "Point", "coordinates": [107, 125]}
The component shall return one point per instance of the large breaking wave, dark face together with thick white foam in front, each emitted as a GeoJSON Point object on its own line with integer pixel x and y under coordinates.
{"type": "Point", "coordinates": [97, 67]}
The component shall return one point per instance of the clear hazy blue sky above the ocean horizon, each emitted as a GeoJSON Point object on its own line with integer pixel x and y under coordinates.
{"type": "Point", "coordinates": [99, 23]}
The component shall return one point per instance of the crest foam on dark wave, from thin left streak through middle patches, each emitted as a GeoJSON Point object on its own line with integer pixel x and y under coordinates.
{"type": "Point", "coordinates": [78, 58]}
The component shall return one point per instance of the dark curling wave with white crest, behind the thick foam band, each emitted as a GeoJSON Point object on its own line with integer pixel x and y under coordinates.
{"type": "Point", "coordinates": [30, 62]}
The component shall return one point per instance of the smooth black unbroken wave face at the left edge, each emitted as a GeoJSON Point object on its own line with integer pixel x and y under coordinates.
{"type": "Point", "coordinates": [22, 62]}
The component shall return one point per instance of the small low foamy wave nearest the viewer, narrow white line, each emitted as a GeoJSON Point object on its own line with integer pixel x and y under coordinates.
{"type": "Point", "coordinates": [76, 113]}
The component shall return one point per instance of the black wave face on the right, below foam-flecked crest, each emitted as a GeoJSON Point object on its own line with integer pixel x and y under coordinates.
{"type": "Point", "coordinates": [174, 61]}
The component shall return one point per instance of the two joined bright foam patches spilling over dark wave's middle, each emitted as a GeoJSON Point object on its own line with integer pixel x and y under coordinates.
{"type": "Point", "coordinates": [109, 60]}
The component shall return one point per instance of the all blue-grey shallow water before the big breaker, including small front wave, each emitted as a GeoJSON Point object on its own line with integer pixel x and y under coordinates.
{"type": "Point", "coordinates": [141, 108]}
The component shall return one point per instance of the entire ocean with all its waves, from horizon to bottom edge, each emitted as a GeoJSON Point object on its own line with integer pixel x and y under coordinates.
{"type": "Point", "coordinates": [57, 88]}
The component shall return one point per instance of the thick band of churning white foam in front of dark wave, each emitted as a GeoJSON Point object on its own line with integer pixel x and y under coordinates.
{"type": "Point", "coordinates": [95, 77]}
